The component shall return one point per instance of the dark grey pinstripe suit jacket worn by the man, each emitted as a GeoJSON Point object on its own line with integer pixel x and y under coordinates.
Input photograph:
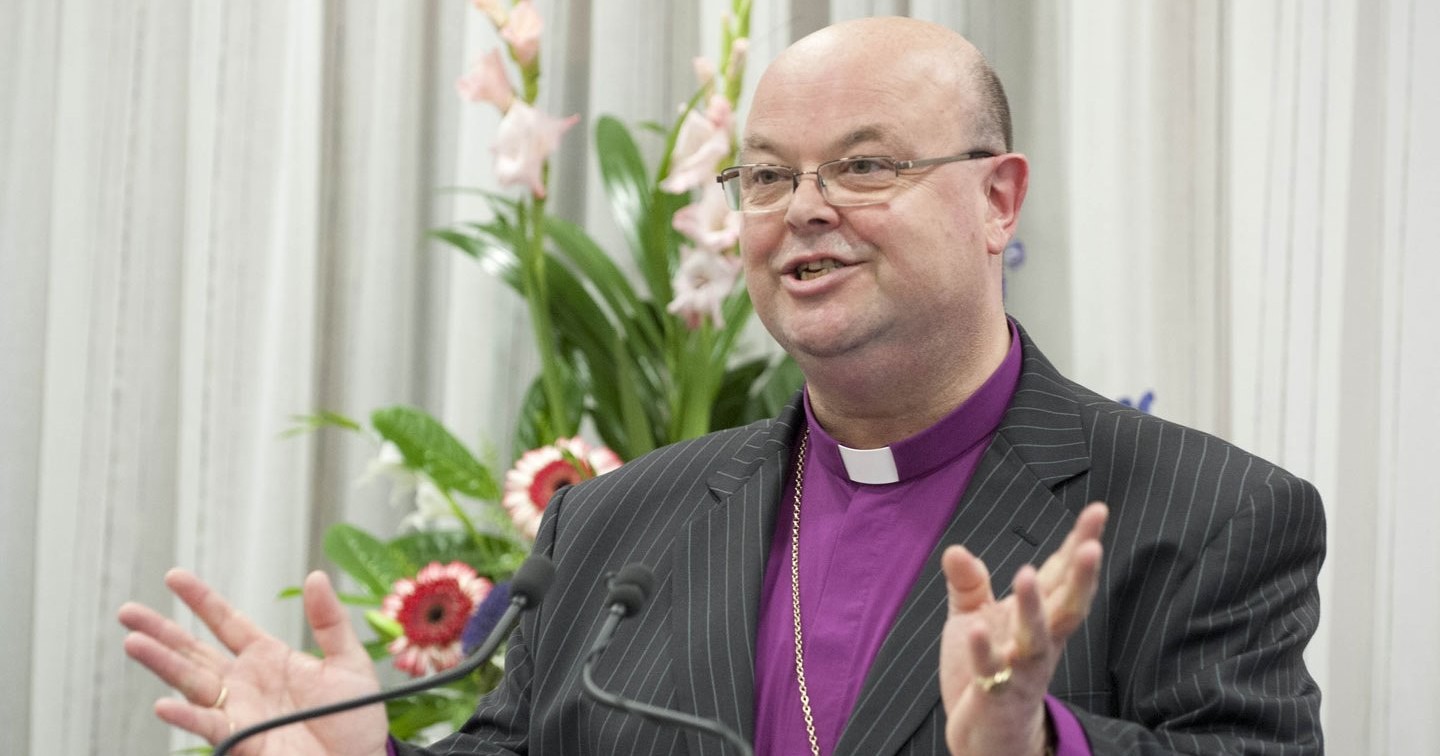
{"type": "Point", "coordinates": [1194, 643]}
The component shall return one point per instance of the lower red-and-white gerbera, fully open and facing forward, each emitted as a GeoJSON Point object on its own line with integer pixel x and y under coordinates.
{"type": "Point", "coordinates": [433, 610]}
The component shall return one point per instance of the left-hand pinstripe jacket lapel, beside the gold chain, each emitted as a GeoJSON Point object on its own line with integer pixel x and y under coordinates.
{"type": "Point", "coordinates": [716, 591]}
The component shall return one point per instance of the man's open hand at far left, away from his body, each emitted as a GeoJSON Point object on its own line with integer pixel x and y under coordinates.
{"type": "Point", "coordinates": [260, 676]}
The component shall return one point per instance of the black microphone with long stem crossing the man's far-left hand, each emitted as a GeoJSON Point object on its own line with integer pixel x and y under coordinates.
{"type": "Point", "coordinates": [526, 591]}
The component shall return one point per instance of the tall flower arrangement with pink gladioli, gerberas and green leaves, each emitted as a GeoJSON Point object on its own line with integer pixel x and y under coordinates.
{"type": "Point", "coordinates": [642, 364]}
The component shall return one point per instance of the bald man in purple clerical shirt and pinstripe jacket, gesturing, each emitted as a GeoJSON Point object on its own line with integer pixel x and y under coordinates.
{"type": "Point", "coordinates": [800, 561]}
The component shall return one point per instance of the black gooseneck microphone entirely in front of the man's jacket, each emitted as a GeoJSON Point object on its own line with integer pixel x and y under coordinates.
{"type": "Point", "coordinates": [630, 590]}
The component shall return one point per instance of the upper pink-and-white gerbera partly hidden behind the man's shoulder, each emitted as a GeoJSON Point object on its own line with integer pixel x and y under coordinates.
{"type": "Point", "coordinates": [541, 473]}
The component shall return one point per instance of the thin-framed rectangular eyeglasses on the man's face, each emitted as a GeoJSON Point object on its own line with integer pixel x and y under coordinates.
{"type": "Point", "coordinates": [760, 188]}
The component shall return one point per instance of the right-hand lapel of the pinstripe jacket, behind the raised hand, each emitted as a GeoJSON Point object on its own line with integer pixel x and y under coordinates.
{"type": "Point", "coordinates": [1007, 516]}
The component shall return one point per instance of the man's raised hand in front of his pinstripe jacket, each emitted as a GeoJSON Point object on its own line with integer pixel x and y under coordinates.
{"type": "Point", "coordinates": [997, 657]}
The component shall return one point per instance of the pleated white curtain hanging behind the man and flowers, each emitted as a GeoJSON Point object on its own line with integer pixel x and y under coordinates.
{"type": "Point", "coordinates": [212, 218]}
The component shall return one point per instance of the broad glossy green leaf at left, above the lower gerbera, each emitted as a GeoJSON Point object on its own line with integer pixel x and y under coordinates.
{"type": "Point", "coordinates": [430, 447]}
